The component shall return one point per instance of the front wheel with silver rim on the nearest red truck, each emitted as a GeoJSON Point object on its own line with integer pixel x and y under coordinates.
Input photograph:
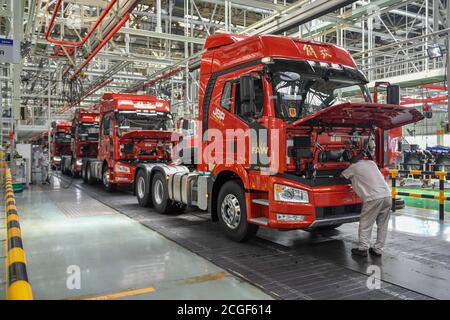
{"type": "Point", "coordinates": [232, 213]}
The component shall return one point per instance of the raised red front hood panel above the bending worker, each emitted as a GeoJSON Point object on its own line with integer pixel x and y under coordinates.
{"type": "Point", "coordinates": [364, 114]}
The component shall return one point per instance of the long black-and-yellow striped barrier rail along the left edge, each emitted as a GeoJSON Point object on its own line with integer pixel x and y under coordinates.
{"type": "Point", "coordinates": [18, 287]}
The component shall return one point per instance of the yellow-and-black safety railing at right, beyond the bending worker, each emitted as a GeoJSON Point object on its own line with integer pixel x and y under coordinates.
{"type": "Point", "coordinates": [441, 175]}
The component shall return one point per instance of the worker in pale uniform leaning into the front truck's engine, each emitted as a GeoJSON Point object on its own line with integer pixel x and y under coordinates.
{"type": "Point", "coordinates": [369, 184]}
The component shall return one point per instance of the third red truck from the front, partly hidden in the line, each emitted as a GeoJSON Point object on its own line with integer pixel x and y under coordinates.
{"type": "Point", "coordinates": [84, 141]}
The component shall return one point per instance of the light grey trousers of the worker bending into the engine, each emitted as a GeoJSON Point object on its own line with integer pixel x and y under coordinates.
{"type": "Point", "coordinates": [378, 211]}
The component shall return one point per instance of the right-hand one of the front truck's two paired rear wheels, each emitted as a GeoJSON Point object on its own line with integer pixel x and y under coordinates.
{"type": "Point", "coordinates": [160, 196]}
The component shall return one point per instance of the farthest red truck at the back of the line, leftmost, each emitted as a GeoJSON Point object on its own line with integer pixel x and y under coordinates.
{"type": "Point", "coordinates": [59, 141]}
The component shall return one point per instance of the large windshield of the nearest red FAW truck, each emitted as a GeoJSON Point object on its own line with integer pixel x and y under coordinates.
{"type": "Point", "coordinates": [303, 88]}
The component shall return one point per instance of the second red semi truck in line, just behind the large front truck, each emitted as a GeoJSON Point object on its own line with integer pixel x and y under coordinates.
{"type": "Point", "coordinates": [134, 129]}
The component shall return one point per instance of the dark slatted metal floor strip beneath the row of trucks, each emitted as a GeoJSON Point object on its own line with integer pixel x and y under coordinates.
{"type": "Point", "coordinates": [298, 266]}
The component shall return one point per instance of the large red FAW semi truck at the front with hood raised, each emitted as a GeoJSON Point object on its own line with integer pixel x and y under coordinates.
{"type": "Point", "coordinates": [288, 90]}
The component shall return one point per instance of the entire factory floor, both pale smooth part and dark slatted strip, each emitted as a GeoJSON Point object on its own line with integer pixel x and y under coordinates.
{"type": "Point", "coordinates": [125, 251]}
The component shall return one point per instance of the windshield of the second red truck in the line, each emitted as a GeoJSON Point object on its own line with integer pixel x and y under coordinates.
{"type": "Point", "coordinates": [135, 120]}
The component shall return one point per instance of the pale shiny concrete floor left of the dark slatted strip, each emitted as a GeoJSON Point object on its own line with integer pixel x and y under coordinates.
{"type": "Point", "coordinates": [66, 230]}
